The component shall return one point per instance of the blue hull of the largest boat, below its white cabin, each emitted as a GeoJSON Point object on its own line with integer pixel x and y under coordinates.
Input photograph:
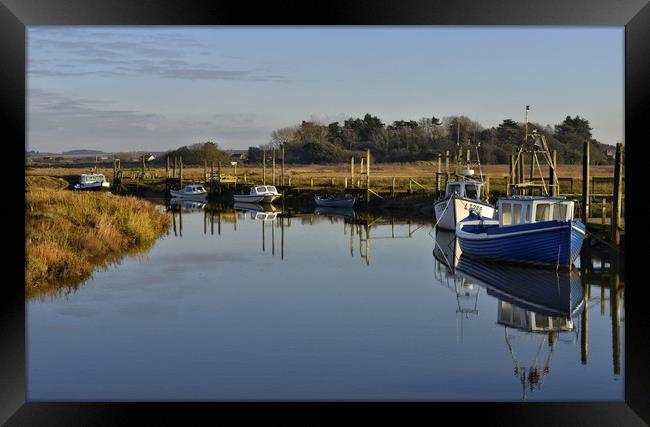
{"type": "Point", "coordinates": [548, 243]}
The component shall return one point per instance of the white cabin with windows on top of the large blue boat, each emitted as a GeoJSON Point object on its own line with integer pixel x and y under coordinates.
{"type": "Point", "coordinates": [529, 209]}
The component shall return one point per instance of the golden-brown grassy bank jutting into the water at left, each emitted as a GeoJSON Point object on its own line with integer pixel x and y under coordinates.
{"type": "Point", "coordinates": [68, 234]}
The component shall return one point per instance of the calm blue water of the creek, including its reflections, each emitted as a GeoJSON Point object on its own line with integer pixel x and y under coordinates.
{"type": "Point", "coordinates": [242, 306]}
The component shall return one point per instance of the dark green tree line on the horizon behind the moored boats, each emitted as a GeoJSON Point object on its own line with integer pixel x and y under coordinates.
{"type": "Point", "coordinates": [411, 140]}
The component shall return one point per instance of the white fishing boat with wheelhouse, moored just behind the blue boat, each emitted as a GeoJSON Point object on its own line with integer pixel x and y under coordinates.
{"type": "Point", "coordinates": [459, 198]}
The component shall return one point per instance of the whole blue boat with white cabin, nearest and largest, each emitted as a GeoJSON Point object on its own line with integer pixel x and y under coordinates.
{"type": "Point", "coordinates": [529, 229]}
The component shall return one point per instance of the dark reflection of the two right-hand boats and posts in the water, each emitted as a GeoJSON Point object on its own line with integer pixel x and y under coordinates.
{"type": "Point", "coordinates": [533, 305]}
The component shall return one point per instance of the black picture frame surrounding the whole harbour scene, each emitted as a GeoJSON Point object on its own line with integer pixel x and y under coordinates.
{"type": "Point", "coordinates": [634, 15]}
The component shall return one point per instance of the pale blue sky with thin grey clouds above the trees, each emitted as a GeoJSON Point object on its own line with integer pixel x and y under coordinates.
{"type": "Point", "coordinates": [156, 88]}
